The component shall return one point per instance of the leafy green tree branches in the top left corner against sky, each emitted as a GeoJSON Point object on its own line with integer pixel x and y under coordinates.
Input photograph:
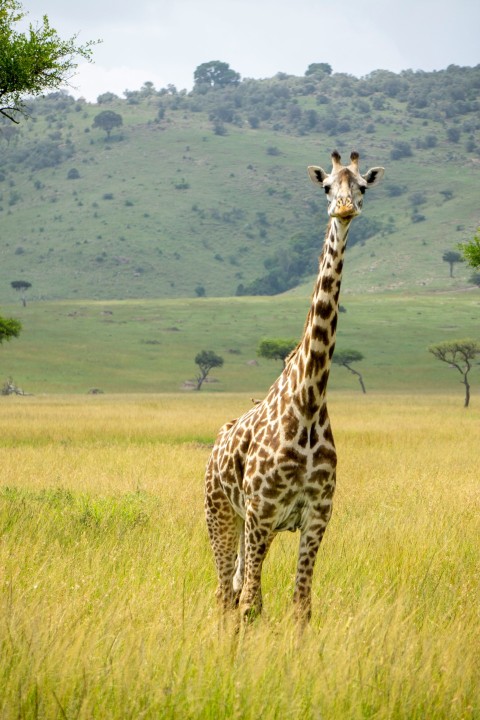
{"type": "Point", "coordinates": [34, 61]}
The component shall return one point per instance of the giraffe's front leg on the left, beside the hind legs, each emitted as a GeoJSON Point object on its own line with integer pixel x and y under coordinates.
{"type": "Point", "coordinates": [258, 538]}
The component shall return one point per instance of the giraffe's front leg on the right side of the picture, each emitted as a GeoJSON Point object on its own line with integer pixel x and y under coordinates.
{"type": "Point", "coordinates": [310, 540]}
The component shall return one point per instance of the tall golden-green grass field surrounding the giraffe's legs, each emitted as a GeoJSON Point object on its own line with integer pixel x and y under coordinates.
{"type": "Point", "coordinates": [107, 579]}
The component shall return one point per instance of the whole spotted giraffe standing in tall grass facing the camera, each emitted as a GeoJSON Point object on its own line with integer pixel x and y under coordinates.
{"type": "Point", "coordinates": [273, 468]}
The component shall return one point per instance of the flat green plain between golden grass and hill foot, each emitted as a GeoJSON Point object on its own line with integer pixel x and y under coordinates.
{"type": "Point", "coordinates": [150, 345]}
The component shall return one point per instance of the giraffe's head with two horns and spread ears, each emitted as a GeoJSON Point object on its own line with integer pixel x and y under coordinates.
{"type": "Point", "coordinates": [344, 186]}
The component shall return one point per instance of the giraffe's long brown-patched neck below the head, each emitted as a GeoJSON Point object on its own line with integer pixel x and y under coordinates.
{"type": "Point", "coordinates": [309, 367]}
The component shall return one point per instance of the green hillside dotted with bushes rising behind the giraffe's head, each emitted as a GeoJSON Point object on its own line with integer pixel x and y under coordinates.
{"type": "Point", "coordinates": [206, 193]}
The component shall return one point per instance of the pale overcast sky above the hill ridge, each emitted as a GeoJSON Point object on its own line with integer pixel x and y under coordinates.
{"type": "Point", "coordinates": [163, 41]}
